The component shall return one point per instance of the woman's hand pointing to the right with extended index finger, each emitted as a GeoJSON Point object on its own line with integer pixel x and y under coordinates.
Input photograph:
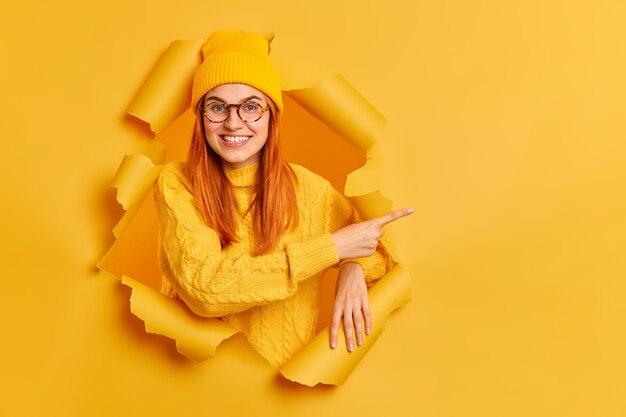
{"type": "Point", "coordinates": [361, 239]}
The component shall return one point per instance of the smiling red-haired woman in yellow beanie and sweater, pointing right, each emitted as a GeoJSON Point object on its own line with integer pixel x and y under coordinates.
{"type": "Point", "coordinates": [245, 236]}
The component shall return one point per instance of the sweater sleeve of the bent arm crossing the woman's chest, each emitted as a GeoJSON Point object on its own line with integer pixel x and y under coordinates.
{"type": "Point", "coordinates": [215, 282]}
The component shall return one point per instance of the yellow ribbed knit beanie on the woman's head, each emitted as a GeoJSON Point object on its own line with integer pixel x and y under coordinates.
{"type": "Point", "coordinates": [236, 57]}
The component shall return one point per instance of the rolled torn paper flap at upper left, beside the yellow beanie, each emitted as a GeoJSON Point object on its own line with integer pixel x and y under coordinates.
{"type": "Point", "coordinates": [165, 94]}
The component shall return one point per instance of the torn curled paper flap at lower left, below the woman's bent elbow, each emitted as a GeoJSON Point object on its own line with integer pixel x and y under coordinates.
{"type": "Point", "coordinates": [196, 337]}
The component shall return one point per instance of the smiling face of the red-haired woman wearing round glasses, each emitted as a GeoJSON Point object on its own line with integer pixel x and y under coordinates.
{"type": "Point", "coordinates": [238, 143]}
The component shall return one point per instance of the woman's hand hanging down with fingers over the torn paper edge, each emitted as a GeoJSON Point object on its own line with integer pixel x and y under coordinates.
{"type": "Point", "coordinates": [351, 304]}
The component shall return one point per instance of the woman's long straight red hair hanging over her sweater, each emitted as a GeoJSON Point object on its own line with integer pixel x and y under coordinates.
{"type": "Point", "coordinates": [274, 207]}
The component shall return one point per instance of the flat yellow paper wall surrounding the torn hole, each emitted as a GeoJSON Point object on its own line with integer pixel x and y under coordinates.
{"type": "Point", "coordinates": [505, 131]}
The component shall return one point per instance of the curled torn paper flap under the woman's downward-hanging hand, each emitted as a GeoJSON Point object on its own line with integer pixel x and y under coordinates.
{"type": "Point", "coordinates": [318, 363]}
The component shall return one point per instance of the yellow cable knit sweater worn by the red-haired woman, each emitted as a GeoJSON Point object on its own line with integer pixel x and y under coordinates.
{"type": "Point", "coordinates": [272, 298]}
